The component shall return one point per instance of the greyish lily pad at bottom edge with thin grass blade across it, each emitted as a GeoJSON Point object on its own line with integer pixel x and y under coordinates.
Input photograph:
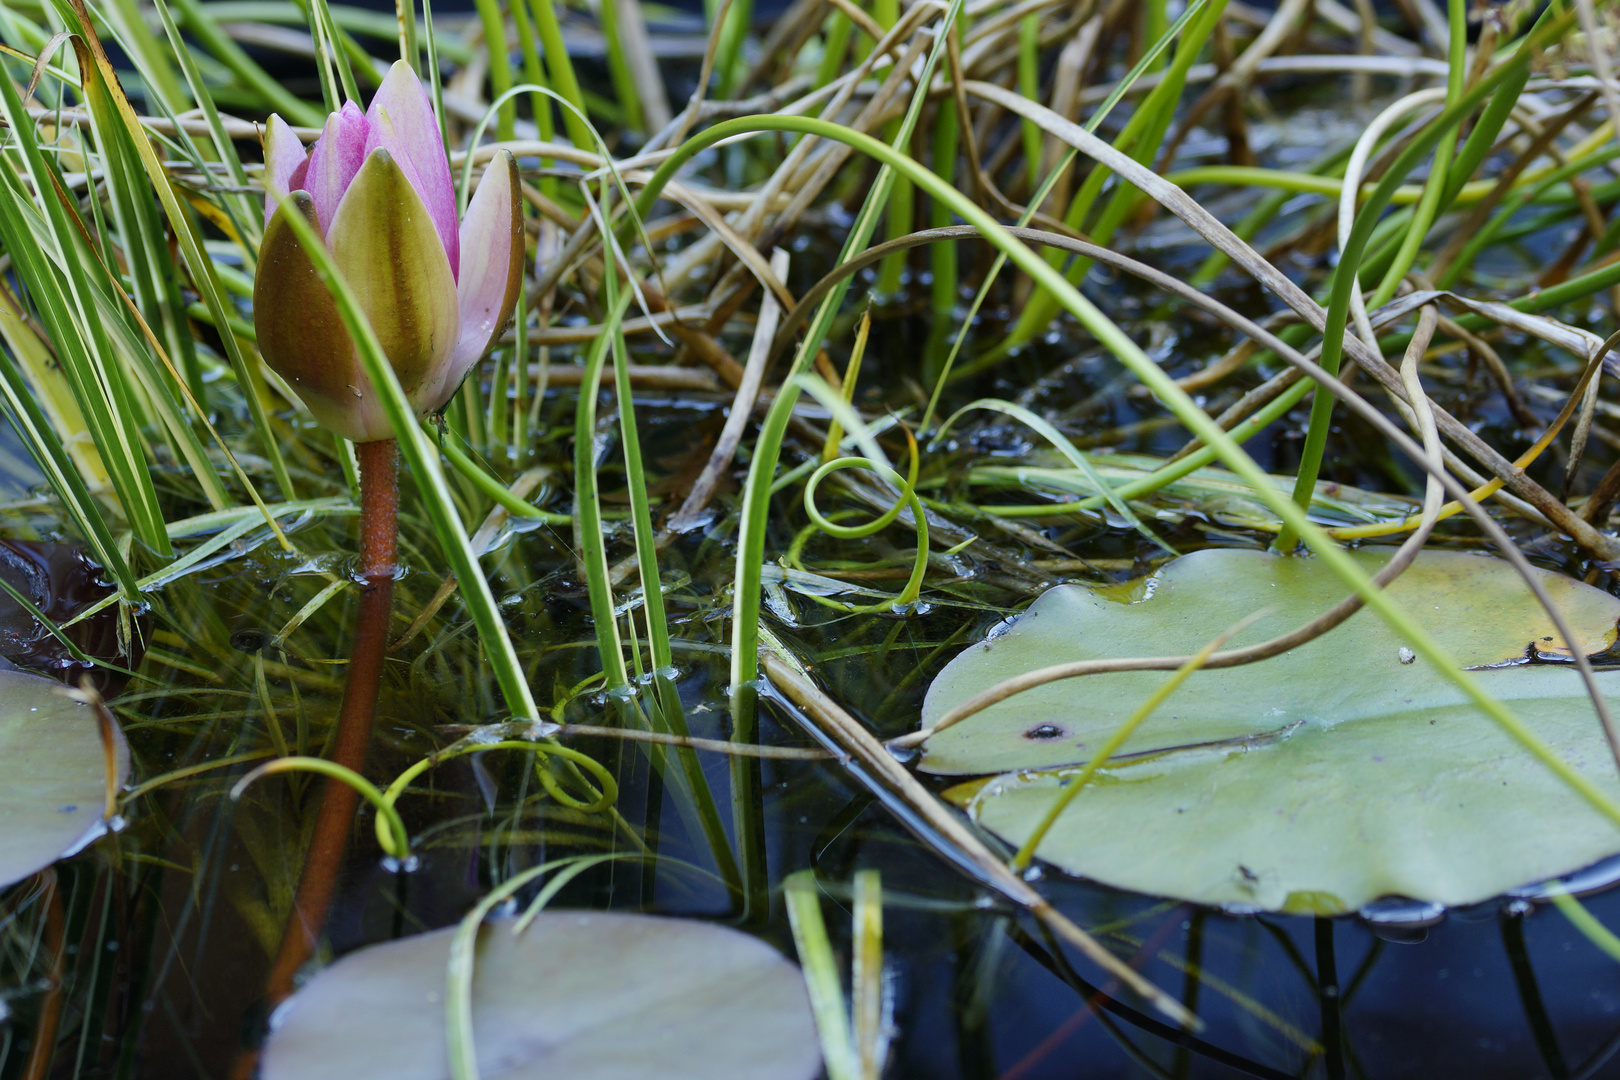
{"type": "Point", "coordinates": [579, 995]}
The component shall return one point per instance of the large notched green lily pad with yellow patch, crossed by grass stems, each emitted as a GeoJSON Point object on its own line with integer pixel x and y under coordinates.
{"type": "Point", "coordinates": [1318, 781]}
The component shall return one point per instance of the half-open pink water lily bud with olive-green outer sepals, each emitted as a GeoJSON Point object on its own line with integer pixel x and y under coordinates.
{"type": "Point", "coordinates": [378, 189]}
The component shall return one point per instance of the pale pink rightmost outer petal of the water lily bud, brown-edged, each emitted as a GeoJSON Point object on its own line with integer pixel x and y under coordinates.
{"type": "Point", "coordinates": [487, 291]}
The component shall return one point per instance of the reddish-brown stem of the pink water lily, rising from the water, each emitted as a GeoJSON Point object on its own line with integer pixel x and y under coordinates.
{"type": "Point", "coordinates": [352, 738]}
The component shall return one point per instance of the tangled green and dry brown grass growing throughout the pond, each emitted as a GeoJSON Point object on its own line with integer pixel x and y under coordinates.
{"type": "Point", "coordinates": [130, 219]}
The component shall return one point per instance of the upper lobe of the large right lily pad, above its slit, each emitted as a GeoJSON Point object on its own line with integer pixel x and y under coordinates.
{"type": "Point", "coordinates": [1477, 606]}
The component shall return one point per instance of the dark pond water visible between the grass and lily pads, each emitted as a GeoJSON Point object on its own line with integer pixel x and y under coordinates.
{"type": "Point", "coordinates": [169, 927]}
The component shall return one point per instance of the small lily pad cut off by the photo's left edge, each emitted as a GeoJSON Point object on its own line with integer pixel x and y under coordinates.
{"type": "Point", "coordinates": [53, 775]}
